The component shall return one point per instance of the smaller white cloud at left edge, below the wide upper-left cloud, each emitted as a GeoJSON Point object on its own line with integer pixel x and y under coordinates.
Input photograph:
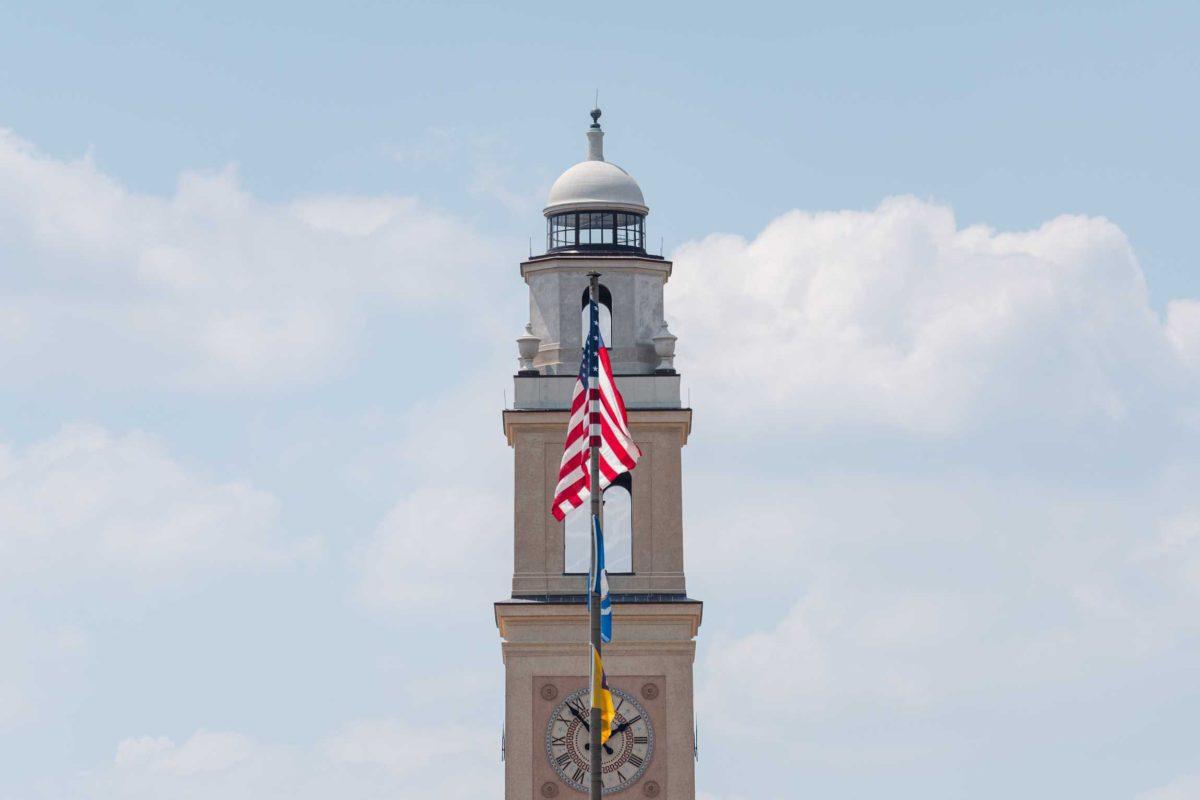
{"type": "Point", "coordinates": [88, 500]}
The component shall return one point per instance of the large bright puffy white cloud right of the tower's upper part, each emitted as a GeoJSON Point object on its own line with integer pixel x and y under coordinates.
{"type": "Point", "coordinates": [897, 317]}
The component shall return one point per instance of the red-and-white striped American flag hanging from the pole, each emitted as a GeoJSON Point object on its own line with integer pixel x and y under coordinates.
{"type": "Point", "coordinates": [598, 420]}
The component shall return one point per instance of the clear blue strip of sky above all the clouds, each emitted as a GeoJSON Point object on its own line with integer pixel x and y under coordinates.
{"type": "Point", "coordinates": [1013, 113]}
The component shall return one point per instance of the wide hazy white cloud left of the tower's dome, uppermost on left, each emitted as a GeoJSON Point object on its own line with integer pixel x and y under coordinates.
{"type": "Point", "coordinates": [211, 287]}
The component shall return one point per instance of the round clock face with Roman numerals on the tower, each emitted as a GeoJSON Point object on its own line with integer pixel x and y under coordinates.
{"type": "Point", "coordinates": [625, 757]}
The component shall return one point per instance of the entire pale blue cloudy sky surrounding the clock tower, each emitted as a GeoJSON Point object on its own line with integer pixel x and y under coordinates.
{"type": "Point", "coordinates": [939, 318]}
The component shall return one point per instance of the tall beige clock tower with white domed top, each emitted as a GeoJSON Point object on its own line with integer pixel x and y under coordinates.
{"type": "Point", "coordinates": [596, 222]}
